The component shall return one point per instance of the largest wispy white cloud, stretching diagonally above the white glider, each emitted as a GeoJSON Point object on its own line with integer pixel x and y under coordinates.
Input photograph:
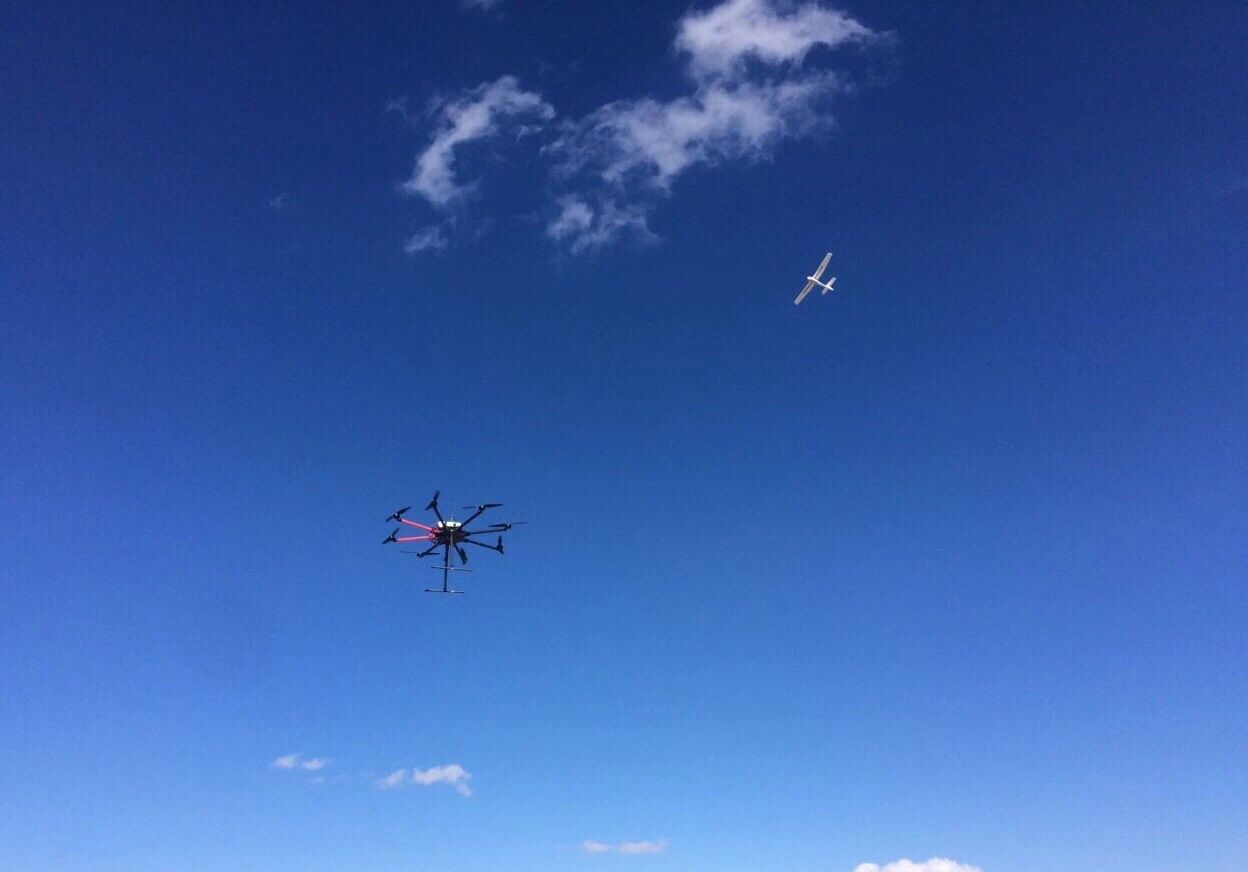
{"type": "Point", "coordinates": [630, 153]}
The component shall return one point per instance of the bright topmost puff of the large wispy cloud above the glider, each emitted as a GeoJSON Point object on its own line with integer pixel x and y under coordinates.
{"type": "Point", "coordinates": [721, 41]}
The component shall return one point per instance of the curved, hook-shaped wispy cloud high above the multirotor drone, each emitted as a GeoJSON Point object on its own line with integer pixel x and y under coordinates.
{"type": "Point", "coordinates": [476, 115]}
